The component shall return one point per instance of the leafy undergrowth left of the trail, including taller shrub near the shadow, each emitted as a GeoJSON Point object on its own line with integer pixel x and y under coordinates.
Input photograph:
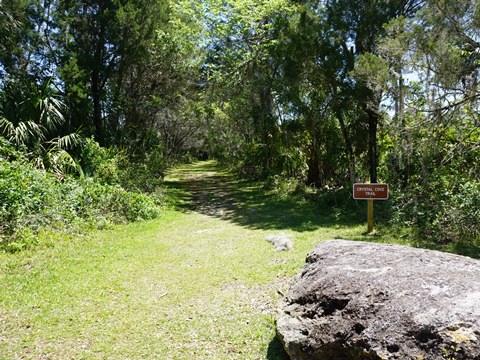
{"type": "Point", "coordinates": [35, 202]}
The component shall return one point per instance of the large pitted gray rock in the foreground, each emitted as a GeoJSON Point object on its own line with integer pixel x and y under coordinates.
{"type": "Point", "coordinates": [356, 300]}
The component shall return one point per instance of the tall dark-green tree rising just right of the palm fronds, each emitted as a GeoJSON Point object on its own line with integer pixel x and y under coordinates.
{"type": "Point", "coordinates": [103, 46]}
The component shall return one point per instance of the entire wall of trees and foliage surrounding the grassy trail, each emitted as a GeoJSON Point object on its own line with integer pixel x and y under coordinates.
{"type": "Point", "coordinates": [322, 93]}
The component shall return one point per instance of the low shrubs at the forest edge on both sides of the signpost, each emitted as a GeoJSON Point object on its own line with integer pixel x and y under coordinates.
{"type": "Point", "coordinates": [446, 220]}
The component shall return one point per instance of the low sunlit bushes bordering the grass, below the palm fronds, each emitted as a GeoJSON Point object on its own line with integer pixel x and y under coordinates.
{"type": "Point", "coordinates": [32, 200]}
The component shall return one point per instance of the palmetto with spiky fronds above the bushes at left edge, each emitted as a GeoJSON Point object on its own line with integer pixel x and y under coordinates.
{"type": "Point", "coordinates": [30, 117]}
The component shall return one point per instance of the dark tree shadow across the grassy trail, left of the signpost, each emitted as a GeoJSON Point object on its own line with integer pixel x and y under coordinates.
{"type": "Point", "coordinates": [206, 190]}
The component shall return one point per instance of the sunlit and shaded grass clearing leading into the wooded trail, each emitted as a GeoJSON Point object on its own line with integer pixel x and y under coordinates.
{"type": "Point", "coordinates": [201, 282]}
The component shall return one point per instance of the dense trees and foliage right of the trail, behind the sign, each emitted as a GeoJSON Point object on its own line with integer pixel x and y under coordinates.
{"type": "Point", "coordinates": [333, 92]}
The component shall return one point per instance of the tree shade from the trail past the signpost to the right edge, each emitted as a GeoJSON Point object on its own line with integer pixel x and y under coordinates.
{"type": "Point", "coordinates": [203, 187]}
